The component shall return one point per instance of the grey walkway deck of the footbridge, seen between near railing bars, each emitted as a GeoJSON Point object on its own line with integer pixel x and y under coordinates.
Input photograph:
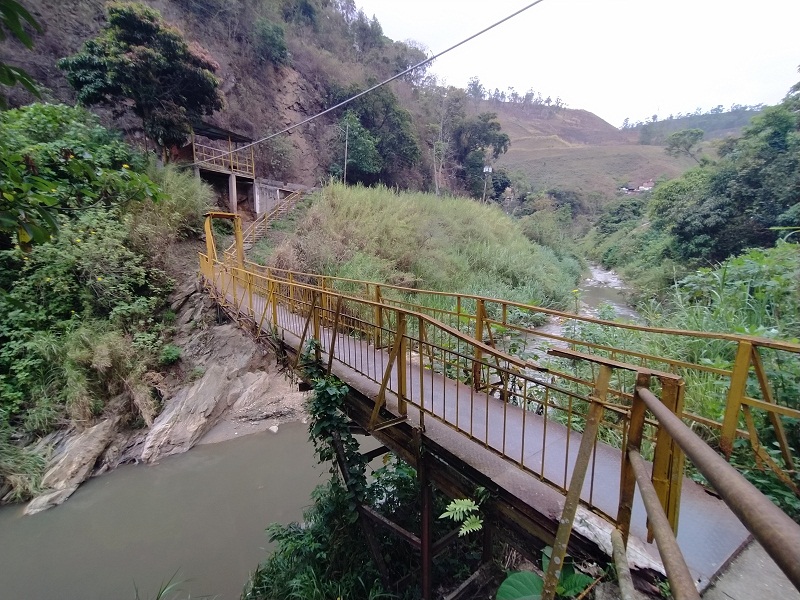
{"type": "Point", "coordinates": [710, 535]}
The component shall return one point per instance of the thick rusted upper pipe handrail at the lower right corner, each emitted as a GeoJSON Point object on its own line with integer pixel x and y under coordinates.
{"type": "Point", "coordinates": [774, 530]}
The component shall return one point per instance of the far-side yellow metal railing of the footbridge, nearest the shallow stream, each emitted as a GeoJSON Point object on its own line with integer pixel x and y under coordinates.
{"type": "Point", "coordinates": [507, 325]}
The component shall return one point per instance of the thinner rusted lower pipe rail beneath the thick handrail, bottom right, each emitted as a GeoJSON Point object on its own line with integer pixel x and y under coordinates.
{"type": "Point", "coordinates": [681, 582]}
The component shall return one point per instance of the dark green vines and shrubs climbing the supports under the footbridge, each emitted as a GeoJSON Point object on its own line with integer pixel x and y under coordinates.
{"type": "Point", "coordinates": [326, 557]}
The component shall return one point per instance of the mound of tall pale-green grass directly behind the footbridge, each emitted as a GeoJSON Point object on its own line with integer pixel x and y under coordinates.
{"type": "Point", "coordinates": [420, 241]}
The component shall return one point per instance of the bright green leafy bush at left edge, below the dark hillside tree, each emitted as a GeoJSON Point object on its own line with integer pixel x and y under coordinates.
{"type": "Point", "coordinates": [54, 158]}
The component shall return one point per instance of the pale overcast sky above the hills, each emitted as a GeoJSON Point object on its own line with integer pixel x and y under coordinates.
{"type": "Point", "coordinates": [616, 58]}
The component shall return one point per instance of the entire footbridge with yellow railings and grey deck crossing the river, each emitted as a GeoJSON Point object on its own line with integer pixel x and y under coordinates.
{"type": "Point", "coordinates": [441, 379]}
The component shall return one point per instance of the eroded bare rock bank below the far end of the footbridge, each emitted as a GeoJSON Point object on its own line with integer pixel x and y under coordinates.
{"type": "Point", "coordinates": [224, 385]}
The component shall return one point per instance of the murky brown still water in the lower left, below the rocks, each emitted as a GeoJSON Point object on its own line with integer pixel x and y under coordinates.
{"type": "Point", "coordinates": [201, 515]}
